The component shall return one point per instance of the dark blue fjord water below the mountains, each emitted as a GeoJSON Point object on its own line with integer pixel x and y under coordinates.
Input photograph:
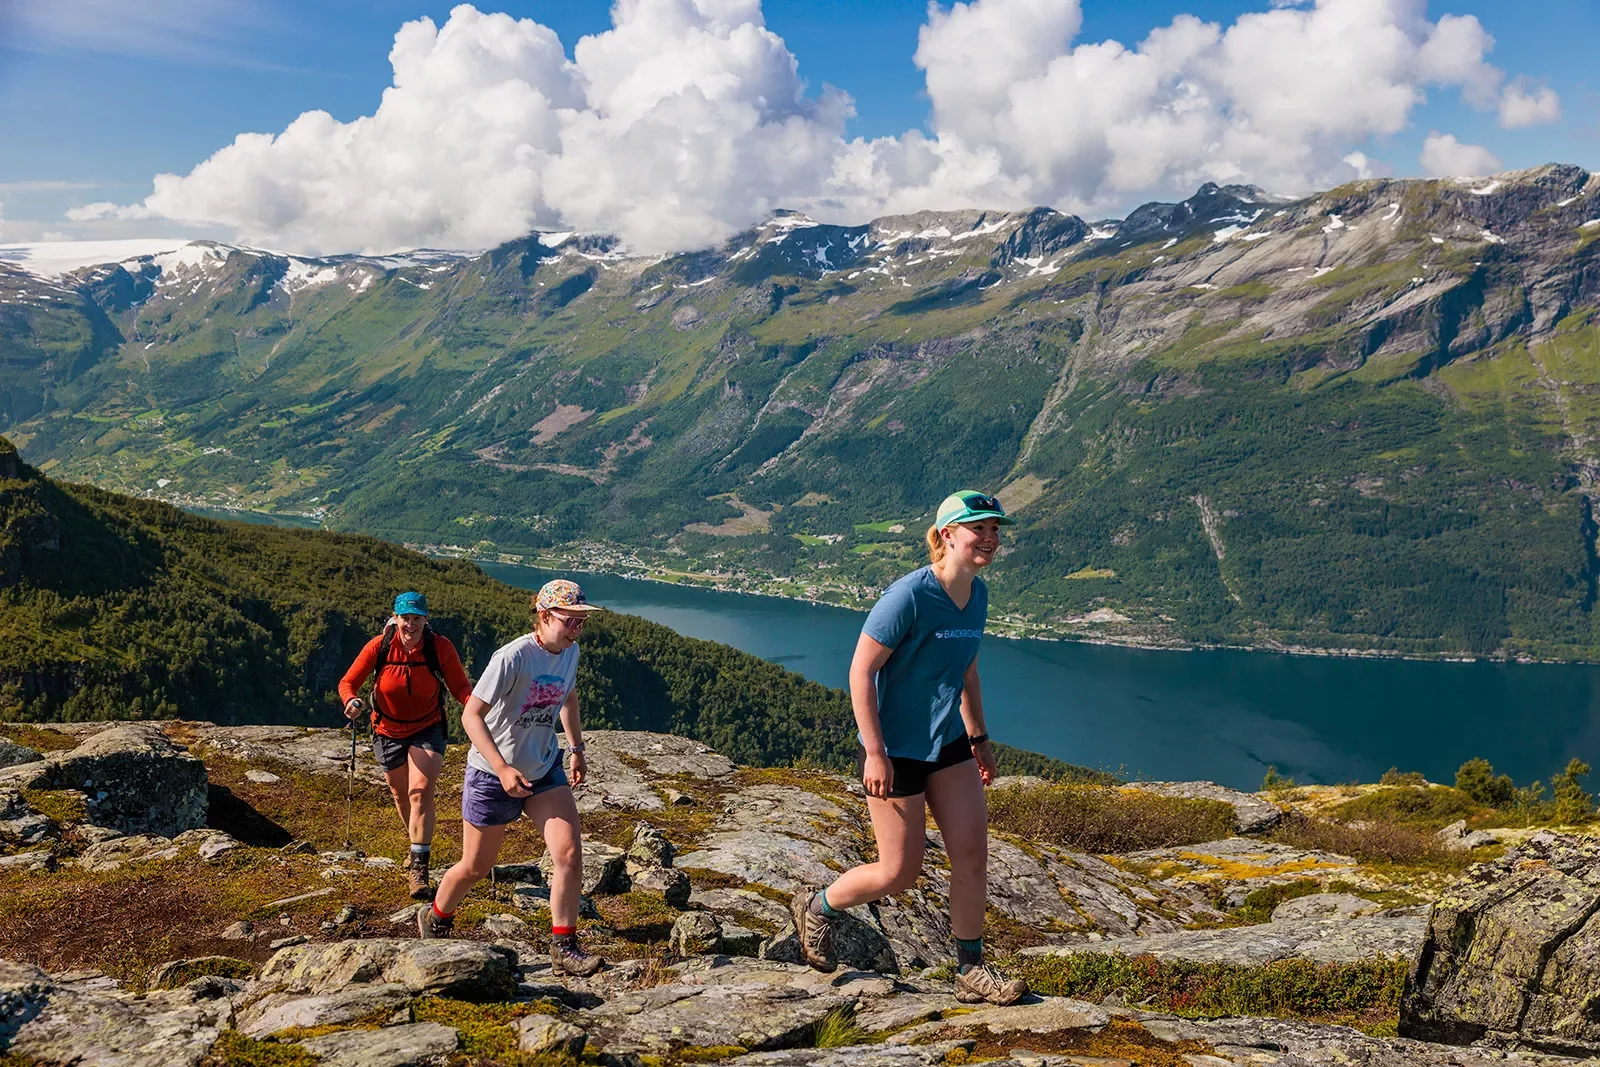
{"type": "Point", "coordinates": [1218, 716]}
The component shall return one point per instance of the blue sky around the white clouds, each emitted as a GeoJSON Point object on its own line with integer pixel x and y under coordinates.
{"type": "Point", "coordinates": [92, 108]}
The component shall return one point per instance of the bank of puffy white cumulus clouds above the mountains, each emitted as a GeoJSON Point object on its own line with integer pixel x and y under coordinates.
{"type": "Point", "coordinates": [689, 119]}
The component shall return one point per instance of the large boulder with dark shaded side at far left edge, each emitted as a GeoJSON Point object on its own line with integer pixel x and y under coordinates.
{"type": "Point", "coordinates": [135, 780]}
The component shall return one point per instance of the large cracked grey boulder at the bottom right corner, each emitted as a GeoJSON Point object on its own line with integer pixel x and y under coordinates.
{"type": "Point", "coordinates": [1513, 953]}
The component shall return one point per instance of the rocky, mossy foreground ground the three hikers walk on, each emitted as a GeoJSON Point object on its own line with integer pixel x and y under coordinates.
{"type": "Point", "coordinates": [185, 893]}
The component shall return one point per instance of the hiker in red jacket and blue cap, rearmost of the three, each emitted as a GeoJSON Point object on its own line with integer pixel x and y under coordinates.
{"type": "Point", "coordinates": [415, 666]}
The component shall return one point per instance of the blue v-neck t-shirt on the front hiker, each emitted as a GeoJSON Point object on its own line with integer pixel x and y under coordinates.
{"type": "Point", "coordinates": [935, 644]}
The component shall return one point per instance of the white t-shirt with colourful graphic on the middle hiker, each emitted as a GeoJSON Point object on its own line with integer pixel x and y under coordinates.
{"type": "Point", "coordinates": [526, 689]}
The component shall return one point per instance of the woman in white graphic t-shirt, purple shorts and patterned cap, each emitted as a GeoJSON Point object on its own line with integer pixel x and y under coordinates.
{"type": "Point", "coordinates": [514, 770]}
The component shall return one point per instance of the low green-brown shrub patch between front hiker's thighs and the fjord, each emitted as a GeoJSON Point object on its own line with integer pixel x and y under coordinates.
{"type": "Point", "coordinates": [1102, 820]}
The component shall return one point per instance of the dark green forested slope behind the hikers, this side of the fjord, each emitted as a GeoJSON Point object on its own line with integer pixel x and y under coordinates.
{"type": "Point", "coordinates": [122, 609]}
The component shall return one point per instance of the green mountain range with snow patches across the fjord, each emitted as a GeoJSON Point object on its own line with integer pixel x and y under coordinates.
{"type": "Point", "coordinates": [1361, 420]}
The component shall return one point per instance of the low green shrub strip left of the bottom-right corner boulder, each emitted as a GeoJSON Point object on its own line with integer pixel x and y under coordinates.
{"type": "Point", "coordinates": [1364, 994]}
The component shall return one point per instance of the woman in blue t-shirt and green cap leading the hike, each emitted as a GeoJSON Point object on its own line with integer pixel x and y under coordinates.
{"type": "Point", "coordinates": [924, 746]}
